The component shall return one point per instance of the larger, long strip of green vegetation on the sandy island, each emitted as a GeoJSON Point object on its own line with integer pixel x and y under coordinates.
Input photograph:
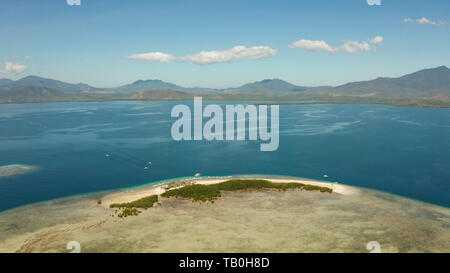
{"type": "Point", "coordinates": [211, 192]}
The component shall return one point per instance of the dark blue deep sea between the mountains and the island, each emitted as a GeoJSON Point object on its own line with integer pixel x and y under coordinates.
{"type": "Point", "coordinates": [404, 151]}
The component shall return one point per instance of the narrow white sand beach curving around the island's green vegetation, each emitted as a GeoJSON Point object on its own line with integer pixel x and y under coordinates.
{"type": "Point", "coordinates": [159, 188]}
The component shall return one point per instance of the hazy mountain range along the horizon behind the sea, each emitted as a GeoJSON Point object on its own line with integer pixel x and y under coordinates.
{"type": "Point", "coordinates": [426, 83]}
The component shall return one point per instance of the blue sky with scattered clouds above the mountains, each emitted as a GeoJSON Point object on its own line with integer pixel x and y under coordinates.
{"type": "Point", "coordinates": [90, 43]}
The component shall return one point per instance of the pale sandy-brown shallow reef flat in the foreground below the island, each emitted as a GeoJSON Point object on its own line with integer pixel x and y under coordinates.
{"type": "Point", "coordinates": [258, 221]}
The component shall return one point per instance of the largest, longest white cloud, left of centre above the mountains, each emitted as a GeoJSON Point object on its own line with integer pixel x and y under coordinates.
{"type": "Point", "coordinates": [210, 57]}
